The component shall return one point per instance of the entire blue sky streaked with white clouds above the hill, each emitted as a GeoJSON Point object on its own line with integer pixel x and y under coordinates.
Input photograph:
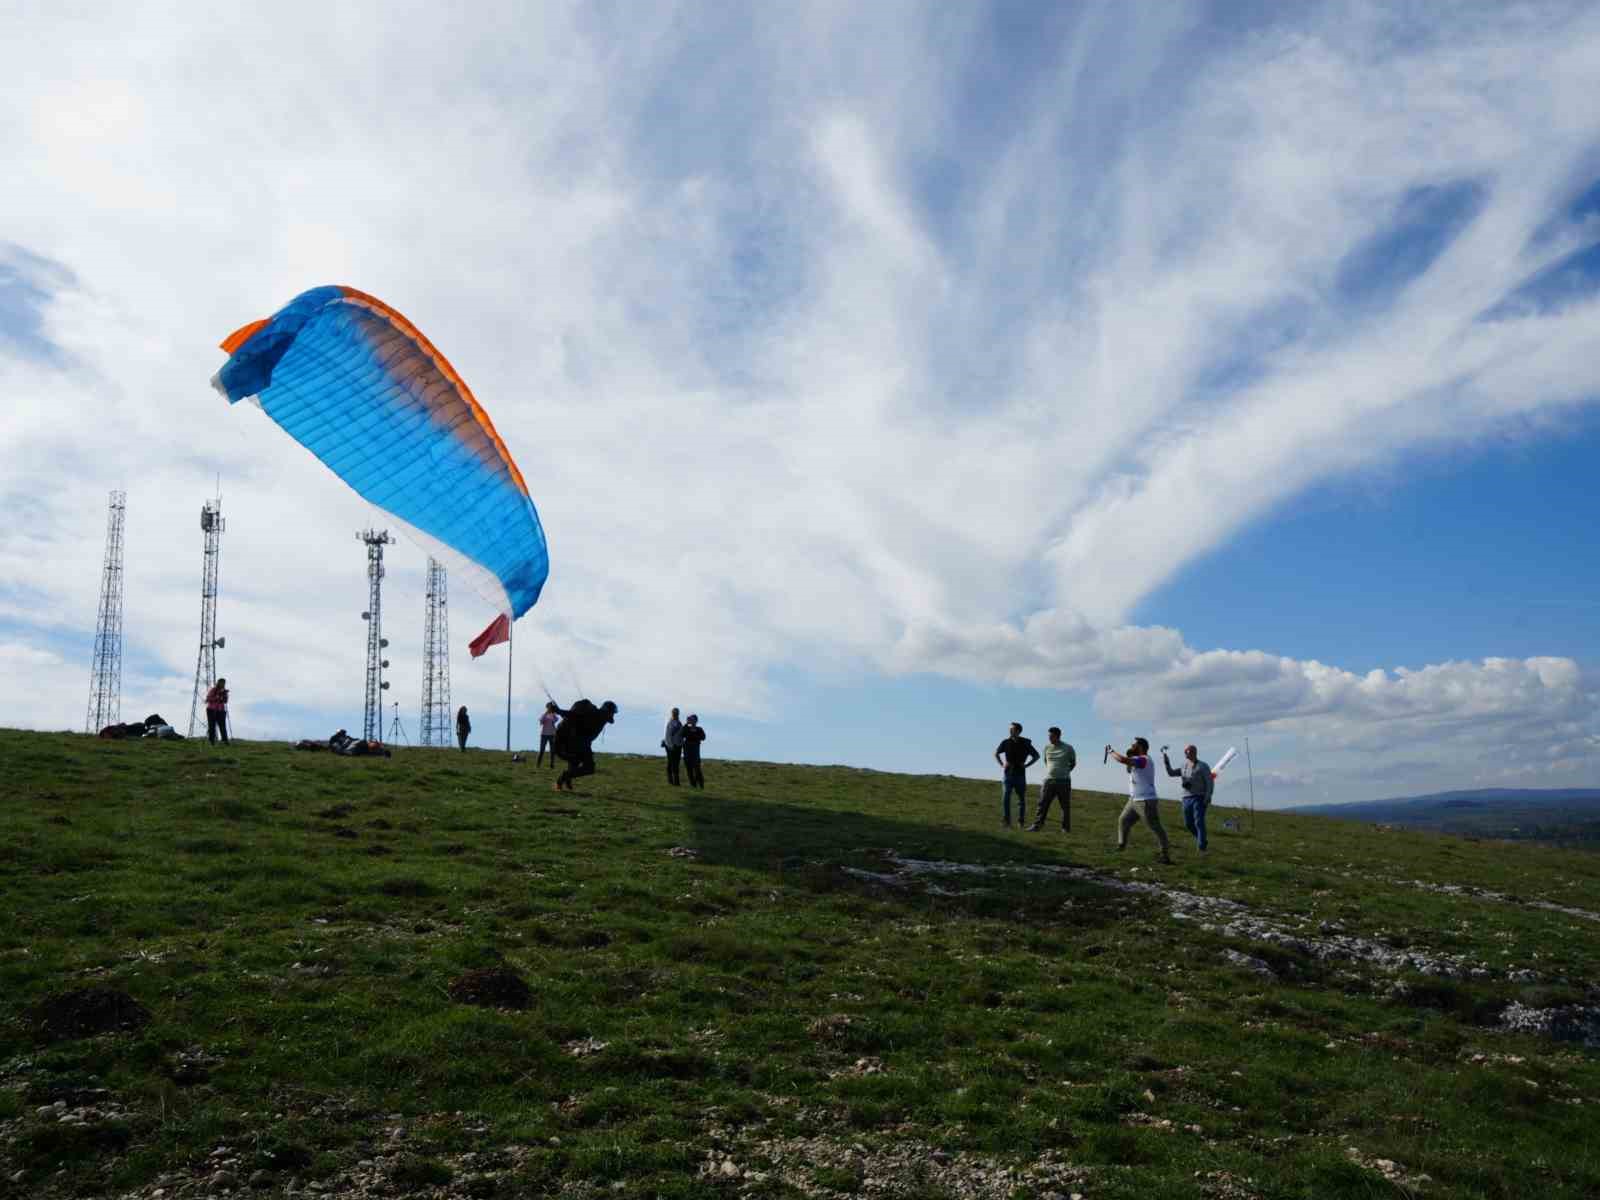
{"type": "Point", "coordinates": [884, 374]}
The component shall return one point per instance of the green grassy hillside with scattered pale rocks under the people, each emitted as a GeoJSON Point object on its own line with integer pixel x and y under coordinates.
{"type": "Point", "coordinates": [260, 972]}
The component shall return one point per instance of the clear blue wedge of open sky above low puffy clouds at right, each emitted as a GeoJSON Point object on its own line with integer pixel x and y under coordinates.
{"type": "Point", "coordinates": [1470, 554]}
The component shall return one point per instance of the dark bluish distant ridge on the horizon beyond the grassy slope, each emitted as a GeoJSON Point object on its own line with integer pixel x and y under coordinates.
{"type": "Point", "coordinates": [1562, 815]}
